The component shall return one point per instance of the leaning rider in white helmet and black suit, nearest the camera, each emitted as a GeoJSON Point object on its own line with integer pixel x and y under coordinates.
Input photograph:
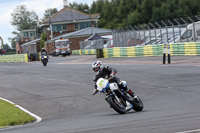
{"type": "Point", "coordinates": [107, 72]}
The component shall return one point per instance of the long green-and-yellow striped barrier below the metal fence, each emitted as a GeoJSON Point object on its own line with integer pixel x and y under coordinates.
{"type": "Point", "coordinates": [192, 48]}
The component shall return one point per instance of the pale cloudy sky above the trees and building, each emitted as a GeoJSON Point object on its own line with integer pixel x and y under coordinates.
{"type": "Point", "coordinates": [39, 6]}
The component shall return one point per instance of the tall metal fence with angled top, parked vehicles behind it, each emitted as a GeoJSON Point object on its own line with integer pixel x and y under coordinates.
{"type": "Point", "coordinates": [170, 31]}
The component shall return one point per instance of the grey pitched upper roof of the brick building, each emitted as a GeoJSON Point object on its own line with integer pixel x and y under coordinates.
{"type": "Point", "coordinates": [70, 14]}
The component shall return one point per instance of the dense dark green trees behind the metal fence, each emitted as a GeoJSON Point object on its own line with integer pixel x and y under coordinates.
{"type": "Point", "coordinates": [122, 13]}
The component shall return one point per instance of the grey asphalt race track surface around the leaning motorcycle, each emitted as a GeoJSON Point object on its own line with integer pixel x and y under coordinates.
{"type": "Point", "coordinates": [61, 94]}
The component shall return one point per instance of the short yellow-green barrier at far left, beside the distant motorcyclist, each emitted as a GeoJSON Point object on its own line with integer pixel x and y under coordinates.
{"type": "Point", "coordinates": [21, 58]}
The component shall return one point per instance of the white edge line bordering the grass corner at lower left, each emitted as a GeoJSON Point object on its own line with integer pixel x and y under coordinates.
{"type": "Point", "coordinates": [38, 119]}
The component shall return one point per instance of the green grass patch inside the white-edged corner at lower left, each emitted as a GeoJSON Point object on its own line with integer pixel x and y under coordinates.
{"type": "Point", "coordinates": [11, 115]}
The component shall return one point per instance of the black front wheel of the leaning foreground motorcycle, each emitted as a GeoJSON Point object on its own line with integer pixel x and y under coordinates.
{"type": "Point", "coordinates": [111, 100]}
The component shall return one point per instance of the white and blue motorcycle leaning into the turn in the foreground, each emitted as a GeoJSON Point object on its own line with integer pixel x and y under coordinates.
{"type": "Point", "coordinates": [118, 99]}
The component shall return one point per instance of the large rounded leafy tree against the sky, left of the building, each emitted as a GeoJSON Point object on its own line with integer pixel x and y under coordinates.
{"type": "Point", "coordinates": [23, 19]}
